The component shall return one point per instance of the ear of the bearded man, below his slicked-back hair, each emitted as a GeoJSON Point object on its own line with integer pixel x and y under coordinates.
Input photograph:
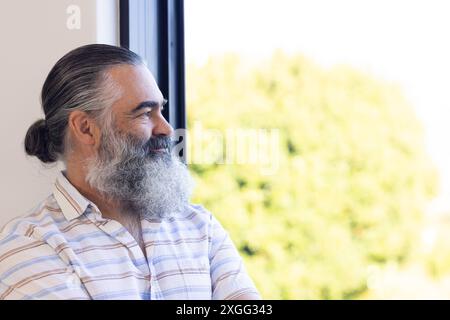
{"type": "Point", "coordinates": [83, 128]}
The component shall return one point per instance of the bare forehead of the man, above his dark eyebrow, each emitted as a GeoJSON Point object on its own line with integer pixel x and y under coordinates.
{"type": "Point", "coordinates": [136, 85]}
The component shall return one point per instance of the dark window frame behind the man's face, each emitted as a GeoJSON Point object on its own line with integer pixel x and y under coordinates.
{"type": "Point", "coordinates": [154, 29]}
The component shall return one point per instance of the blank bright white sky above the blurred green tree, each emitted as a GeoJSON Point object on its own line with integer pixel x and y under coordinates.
{"type": "Point", "coordinates": [400, 40]}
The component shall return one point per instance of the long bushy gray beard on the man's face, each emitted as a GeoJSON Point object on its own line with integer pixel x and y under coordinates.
{"type": "Point", "coordinates": [146, 184]}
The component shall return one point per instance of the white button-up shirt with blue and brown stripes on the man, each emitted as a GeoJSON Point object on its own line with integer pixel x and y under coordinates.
{"type": "Point", "coordinates": [65, 249]}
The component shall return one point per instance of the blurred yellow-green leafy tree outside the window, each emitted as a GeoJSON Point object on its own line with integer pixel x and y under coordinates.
{"type": "Point", "coordinates": [351, 184]}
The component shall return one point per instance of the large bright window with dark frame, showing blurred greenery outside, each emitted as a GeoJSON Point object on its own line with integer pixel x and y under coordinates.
{"type": "Point", "coordinates": [316, 134]}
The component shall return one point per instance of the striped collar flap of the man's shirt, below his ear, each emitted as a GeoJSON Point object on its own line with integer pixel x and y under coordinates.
{"type": "Point", "coordinates": [73, 204]}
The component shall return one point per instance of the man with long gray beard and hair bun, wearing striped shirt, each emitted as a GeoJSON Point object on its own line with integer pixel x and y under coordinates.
{"type": "Point", "coordinates": [118, 224]}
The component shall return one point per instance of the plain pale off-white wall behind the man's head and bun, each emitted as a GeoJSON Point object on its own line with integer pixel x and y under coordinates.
{"type": "Point", "coordinates": [33, 36]}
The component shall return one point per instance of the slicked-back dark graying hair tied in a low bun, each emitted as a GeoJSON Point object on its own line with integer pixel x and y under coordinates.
{"type": "Point", "coordinates": [78, 81]}
